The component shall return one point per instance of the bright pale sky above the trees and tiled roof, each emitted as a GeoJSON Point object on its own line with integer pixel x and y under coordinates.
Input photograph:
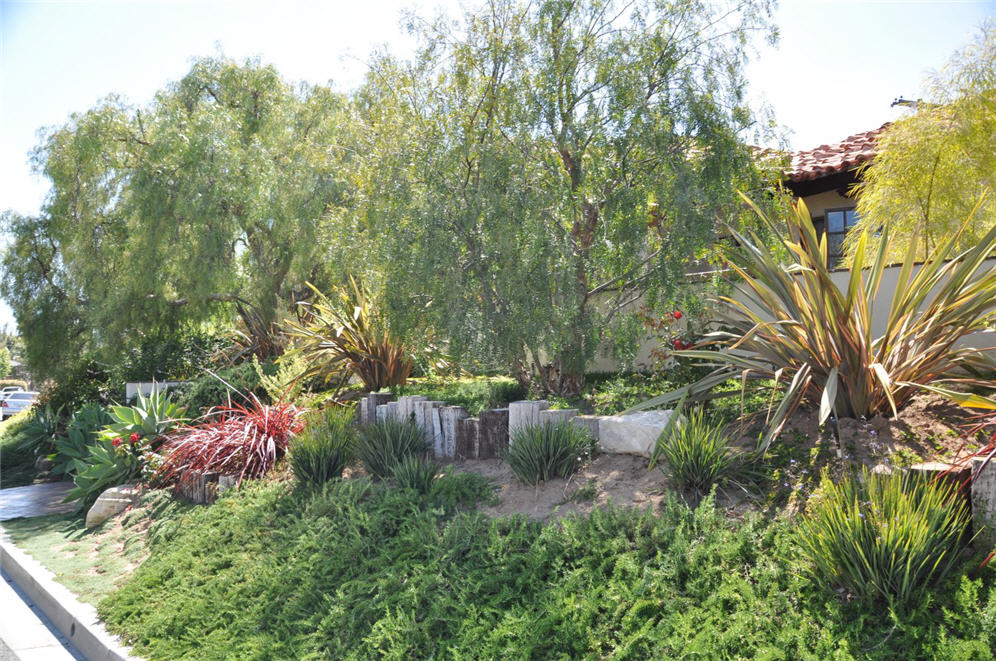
{"type": "Point", "coordinates": [837, 67]}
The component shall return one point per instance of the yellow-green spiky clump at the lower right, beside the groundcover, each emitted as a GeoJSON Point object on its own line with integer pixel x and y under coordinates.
{"type": "Point", "coordinates": [883, 538]}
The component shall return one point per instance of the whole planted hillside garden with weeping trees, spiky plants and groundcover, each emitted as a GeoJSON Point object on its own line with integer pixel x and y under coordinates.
{"type": "Point", "coordinates": [477, 226]}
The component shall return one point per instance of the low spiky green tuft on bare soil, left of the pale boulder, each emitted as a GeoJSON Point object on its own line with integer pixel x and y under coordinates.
{"type": "Point", "coordinates": [542, 452]}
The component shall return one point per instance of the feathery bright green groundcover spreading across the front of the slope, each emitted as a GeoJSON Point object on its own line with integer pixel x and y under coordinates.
{"type": "Point", "coordinates": [362, 570]}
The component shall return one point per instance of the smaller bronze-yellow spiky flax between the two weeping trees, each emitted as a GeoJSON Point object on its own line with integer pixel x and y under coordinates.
{"type": "Point", "coordinates": [342, 335]}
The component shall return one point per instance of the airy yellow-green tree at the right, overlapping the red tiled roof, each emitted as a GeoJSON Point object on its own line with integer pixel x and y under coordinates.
{"type": "Point", "coordinates": [932, 166]}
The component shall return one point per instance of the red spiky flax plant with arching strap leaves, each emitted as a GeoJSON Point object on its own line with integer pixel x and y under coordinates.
{"type": "Point", "coordinates": [236, 440]}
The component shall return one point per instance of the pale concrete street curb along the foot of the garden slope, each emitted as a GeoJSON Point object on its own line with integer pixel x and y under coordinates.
{"type": "Point", "coordinates": [75, 620]}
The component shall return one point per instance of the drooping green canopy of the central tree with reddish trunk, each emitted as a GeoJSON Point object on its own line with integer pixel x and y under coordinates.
{"type": "Point", "coordinates": [579, 153]}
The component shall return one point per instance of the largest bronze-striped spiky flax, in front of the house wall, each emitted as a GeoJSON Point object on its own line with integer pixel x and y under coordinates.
{"type": "Point", "coordinates": [800, 328]}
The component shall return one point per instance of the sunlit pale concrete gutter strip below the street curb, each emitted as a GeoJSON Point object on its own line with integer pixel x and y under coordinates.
{"type": "Point", "coordinates": [25, 632]}
